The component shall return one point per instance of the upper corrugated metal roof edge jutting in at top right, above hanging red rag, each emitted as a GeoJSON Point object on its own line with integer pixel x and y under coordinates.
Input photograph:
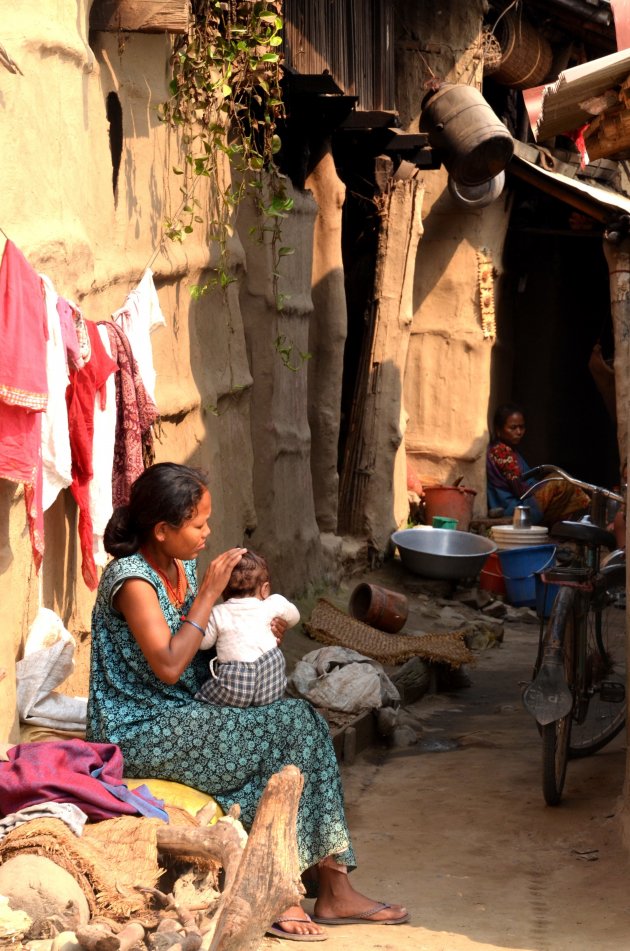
{"type": "Point", "coordinates": [561, 105]}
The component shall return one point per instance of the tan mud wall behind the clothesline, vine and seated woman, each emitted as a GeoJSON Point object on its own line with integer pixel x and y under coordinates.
{"type": "Point", "coordinates": [60, 208]}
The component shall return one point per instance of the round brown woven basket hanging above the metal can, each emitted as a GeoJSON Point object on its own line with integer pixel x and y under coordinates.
{"type": "Point", "coordinates": [526, 56]}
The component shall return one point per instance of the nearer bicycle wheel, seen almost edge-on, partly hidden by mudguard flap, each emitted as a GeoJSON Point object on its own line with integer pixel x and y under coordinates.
{"type": "Point", "coordinates": [556, 736]}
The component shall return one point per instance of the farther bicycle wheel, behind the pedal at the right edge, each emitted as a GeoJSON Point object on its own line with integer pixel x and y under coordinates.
{"type": "Point", "coordinates": [600, 713]}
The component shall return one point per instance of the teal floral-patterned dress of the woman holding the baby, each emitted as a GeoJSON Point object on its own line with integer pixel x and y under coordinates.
{"type": "Point", "coordinates": [227, 752]}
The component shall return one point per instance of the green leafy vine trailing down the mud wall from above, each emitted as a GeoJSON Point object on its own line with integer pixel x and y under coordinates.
{"type": "Point", "coordinates": [226, 101]}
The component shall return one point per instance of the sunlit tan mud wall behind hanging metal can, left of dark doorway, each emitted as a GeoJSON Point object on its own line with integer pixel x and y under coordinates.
{"type": "Point", "coordinates": [447, 377]}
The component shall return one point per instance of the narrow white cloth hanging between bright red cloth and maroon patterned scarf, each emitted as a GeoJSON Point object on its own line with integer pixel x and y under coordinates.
{"type": "Point", "coordinates": [101, 506]}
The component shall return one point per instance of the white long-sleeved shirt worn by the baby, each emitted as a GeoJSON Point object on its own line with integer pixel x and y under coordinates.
{"type": "Point", "coordinates": [241, 627]}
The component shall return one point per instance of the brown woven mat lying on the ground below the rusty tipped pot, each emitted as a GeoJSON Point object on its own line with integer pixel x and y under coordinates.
{"type": "Point", "coordinates": [331, 626]}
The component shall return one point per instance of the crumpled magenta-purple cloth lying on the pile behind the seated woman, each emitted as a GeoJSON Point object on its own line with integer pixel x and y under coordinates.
{"type": "Point", "coordinates": [63, 771]}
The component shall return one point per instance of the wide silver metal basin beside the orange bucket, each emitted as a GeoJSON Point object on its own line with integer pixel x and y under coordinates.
{"type": "Point", "coordinates": [441, 552]}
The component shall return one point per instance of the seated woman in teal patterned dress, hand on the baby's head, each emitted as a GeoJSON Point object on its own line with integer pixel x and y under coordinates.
{"type": "Point", "coordinates": [148, 621]}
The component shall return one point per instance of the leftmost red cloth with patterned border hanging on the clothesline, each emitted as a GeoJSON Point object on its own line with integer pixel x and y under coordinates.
{"type": "Point", "coordinates": [23, 385]}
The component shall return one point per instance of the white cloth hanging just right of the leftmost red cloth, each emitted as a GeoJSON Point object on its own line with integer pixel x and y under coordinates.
{"type": "Point", "coordinates": [56, 454]}
